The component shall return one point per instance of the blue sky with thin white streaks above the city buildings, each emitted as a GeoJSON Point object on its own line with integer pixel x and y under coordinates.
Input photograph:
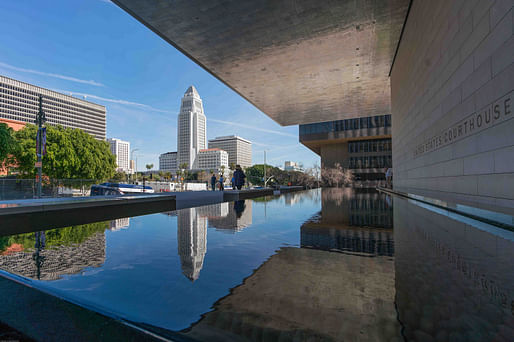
{"type": "Point", "coordinates": [93, 48]}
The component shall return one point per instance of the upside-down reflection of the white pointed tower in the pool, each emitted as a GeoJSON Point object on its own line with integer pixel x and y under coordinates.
{"type": "Point", "coordinates": [192, 241]}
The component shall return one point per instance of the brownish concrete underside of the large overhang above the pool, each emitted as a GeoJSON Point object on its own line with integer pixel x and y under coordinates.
{"type": "Point", "coordinates": [298, 61]}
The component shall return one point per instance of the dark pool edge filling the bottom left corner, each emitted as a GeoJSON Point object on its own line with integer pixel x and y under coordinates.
{"type": "Point", "coordinates": [44, 317]}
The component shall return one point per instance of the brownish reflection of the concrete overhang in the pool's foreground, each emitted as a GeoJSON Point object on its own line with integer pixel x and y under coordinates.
{"type": "Point", "coordinates": [308, 295]}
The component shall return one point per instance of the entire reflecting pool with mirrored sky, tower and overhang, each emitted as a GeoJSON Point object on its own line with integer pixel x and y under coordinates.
{"type": "Point", "coordinates": [319, 265]}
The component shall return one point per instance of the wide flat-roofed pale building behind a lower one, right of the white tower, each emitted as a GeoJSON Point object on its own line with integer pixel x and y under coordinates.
{"type": "Point", "coordinates": [239, 150]}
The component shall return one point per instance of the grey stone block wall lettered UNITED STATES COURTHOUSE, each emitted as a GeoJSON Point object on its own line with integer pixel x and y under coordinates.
{"type": "Point", "coordinates": [452, 86]}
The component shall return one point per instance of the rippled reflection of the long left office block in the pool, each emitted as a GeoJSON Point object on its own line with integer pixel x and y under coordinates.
{"type": "Point", "coordinates": [59, 261]}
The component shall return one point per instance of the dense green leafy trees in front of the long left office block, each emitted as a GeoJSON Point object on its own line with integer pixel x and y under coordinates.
{"type": "Point", "coordinates": [71, 154]}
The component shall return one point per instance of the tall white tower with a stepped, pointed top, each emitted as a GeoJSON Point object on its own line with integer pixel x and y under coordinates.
{"type": "Point", "coordinates": [191, 129]}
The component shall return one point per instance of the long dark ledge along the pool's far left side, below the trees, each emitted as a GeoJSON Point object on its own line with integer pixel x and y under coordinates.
{"type": "Point", "coordinates": [25, 216]}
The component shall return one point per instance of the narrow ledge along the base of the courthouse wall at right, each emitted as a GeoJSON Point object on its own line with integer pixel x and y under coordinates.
{"type": "Point", "coordinates": [498, 219]}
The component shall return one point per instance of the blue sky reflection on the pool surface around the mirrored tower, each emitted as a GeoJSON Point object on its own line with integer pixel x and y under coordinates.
{"type": "Point", "coordinates": [142, 279]}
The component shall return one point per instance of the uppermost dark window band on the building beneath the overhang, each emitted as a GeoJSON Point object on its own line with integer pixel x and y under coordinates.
{"type": "Point", "coordinates": [346, 125]}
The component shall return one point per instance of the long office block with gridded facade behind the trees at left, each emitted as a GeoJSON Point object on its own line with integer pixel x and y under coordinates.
{"type": "Point", "coordinates": [19, 101]}
